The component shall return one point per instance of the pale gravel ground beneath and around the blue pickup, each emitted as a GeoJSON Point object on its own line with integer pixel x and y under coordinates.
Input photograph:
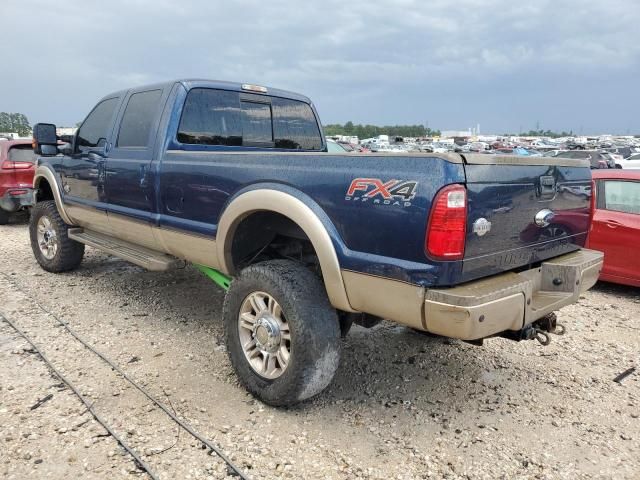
{"type": "Point", "coordinates": [402, 405]}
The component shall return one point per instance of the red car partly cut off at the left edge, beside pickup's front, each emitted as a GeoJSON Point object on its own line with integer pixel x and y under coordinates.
{"type": "Point", "coordinates": [17, 166]}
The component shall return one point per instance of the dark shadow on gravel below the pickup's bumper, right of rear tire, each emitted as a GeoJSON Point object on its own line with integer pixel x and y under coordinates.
{"type": "Point", "coordinates": [394, 366]}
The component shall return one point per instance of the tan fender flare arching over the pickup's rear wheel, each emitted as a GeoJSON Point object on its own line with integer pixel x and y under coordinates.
{"type": "Point", "coordinates": [301, 210]}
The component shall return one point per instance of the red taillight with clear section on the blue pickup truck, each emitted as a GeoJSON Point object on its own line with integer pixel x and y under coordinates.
{"type": "Point", "coordinates": [447, 227]}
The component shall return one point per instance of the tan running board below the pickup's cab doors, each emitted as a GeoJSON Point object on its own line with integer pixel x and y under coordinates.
{"type": "Point", "coordinates": [141, 256]}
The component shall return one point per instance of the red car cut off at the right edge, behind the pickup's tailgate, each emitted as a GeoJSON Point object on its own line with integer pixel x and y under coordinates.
{"type": "Point", "coordinates": [615, 226]}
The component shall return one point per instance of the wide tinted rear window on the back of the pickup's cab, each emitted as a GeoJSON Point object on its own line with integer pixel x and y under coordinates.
{"type": "Point", "coordinates": [218, 117]}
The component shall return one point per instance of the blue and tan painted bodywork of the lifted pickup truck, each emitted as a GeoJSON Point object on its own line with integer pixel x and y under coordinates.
{"type": "Point", "coordinates": [184, 200]}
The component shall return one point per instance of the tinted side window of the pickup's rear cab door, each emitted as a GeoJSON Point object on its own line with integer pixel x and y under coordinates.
{"type": "Point", "coordinates": [138, 117]}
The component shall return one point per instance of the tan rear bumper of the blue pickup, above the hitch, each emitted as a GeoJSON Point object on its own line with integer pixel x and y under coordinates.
{"type": "Point", "coordinates": [510, 301]}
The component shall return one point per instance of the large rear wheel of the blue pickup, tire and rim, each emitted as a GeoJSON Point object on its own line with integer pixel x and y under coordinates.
{"type": "Point", "coordinates": [282, 334]}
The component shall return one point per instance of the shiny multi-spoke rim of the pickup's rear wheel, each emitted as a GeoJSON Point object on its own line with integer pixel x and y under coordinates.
{"type": "Point", "coordinates": [264, 335]}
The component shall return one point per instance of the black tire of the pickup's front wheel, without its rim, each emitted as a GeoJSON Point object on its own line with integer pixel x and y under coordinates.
{"type": "Point", "coordinates": [69, 253]}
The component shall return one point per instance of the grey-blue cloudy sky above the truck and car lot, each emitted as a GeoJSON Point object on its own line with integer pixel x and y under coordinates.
{"type": "Point", "coordinates": [562, 64]}
